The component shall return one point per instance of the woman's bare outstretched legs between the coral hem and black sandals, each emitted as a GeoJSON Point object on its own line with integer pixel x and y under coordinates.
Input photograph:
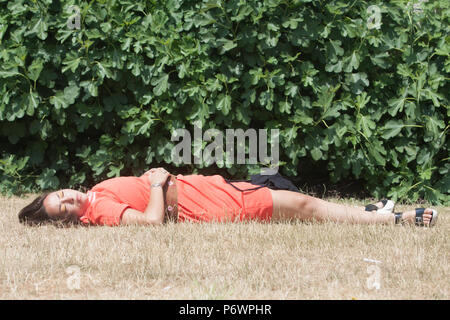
{"type": "Point", "coordinates": [288, 205]}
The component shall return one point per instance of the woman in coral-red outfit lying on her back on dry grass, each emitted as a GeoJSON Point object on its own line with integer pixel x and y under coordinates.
{"type": "Point", "coordinates": [158, 196]}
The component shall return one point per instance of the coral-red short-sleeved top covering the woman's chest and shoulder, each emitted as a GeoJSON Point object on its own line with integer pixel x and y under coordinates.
{"type": "Point", "coordinates": [109, 199]}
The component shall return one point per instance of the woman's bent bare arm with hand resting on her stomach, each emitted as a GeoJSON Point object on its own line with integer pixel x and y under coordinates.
{"type": "Point", "coordinates": [154, 213]}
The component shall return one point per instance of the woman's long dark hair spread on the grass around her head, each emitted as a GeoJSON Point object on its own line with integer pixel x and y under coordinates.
{"type": "Point", "coordinates": [35, 214]}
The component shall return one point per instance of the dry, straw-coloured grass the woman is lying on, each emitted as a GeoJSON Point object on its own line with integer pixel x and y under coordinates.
{"type": "Point", "coordinates": [224, 261]}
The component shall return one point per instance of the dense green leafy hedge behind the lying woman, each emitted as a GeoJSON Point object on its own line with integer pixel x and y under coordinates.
{"type": "Point", "coordinates": [371, 103]}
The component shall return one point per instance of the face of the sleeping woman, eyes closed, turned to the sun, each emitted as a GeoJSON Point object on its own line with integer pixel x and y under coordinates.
{"type": "Point", "coordinates": [62, 203]}
